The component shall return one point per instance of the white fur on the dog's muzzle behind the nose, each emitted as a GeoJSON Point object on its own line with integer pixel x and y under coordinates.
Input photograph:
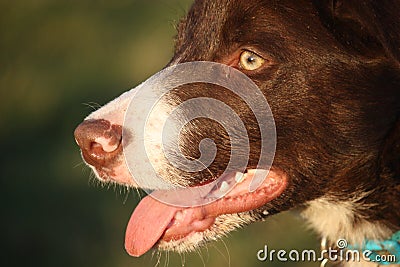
{"type": "Point", "coordinates": [154, 120]}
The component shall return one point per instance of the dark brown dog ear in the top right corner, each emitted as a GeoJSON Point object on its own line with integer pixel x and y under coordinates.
{"type": "Point", "coordinates": [367, 27]}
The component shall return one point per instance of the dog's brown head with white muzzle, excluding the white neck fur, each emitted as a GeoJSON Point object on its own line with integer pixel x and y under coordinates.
{"type": "Point", "coordinates": [330, 73]}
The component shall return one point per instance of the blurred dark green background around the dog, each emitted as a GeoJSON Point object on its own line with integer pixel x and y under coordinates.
{"type": "Point", "coordinates": [58, 60]}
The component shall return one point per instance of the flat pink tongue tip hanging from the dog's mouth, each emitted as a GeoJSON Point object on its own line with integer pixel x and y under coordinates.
{"type": "Point", "coordinates": [146, 225]}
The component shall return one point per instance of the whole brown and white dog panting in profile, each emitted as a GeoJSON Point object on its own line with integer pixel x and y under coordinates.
{"type": "Point", "coordinates": [330, 70]}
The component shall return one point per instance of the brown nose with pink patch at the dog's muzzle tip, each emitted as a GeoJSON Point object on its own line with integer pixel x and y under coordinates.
{"type": "Point", "coordinates": [100, 141]}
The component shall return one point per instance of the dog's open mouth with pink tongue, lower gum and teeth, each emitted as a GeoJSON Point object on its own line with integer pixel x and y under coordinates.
{"type": "Point", "coordinates": [153, 222]}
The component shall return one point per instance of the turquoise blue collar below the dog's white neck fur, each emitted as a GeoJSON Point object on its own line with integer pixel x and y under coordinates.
{"type": "Point", "coordinates": [389, 246]}
